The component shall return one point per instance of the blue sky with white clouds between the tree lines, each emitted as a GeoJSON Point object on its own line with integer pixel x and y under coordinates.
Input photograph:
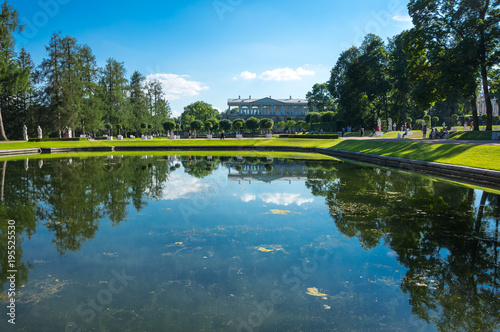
{"type": "Point", "coordinates": [214, 50]}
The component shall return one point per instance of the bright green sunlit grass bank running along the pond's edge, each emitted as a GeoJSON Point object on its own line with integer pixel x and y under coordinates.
{"type": "Point", "coordinates": [480, 156]}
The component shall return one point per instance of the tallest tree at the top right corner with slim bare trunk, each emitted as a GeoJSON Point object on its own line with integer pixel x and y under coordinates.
{"type": "Point", "coordinates": [476, 24]}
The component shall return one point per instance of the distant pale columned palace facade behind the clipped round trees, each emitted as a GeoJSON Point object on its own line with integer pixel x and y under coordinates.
{"type": "Point", "coordinates": [275, 109]}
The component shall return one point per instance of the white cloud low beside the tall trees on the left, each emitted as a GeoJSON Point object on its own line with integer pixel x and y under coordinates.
{"type": "Point", "coordinates": [178, 86]}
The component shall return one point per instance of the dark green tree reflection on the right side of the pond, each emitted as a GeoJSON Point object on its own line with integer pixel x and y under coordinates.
{"type": "Point", "coordinates": [449, 245]}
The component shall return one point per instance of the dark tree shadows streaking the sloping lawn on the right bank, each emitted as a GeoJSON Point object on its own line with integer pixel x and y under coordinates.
{"type": "Point", "coordinates": [410, 150]}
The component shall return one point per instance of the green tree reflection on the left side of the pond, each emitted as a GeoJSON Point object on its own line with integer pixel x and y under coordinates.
{"type": "Point", "coordinates": [71, 196]}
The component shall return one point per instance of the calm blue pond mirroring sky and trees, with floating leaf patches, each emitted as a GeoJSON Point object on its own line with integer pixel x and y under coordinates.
{"type": "Point", "coordinates": [243, 243]}
